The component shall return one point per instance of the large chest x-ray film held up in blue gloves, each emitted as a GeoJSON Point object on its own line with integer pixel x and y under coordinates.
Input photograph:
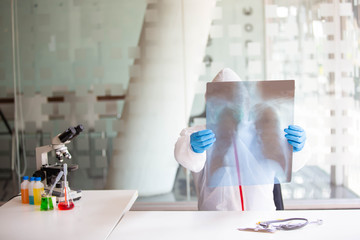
{"type": "Point", "coordinates": [248, 119]}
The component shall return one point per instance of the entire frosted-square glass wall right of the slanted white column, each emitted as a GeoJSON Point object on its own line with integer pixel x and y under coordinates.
{"type": "Point", "coordinates": [316, 44]}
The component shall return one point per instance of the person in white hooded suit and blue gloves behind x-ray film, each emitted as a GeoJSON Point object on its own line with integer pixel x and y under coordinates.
{"type": "Point", "coordinates": [190, 152]}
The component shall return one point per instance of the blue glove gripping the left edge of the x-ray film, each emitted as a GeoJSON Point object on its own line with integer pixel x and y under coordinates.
{"type": "Point", "coordinates": [202, 140]}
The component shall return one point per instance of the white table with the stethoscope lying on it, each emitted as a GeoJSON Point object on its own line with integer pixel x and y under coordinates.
{"type": "Point", "coordinates": [337, 224]}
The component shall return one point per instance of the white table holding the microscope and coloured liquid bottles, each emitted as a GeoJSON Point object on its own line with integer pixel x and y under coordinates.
{"type": "Point", "coordinates": [94, 217]}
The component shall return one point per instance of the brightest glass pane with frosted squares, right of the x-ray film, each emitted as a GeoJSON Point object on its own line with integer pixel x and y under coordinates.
{"type": "Point", "coordinates": [316, 43]}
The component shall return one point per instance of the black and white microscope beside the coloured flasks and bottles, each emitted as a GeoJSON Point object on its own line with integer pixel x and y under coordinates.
{"type": "Point", "coordinates": [48, 172]}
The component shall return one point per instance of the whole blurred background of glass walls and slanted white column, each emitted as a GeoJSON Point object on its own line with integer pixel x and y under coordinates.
{"type": "Point", "coordinates": [134, 73]}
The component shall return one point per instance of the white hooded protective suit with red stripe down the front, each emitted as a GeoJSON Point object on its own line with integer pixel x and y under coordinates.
{"type": "Point", "coordinates": [227, 198]}
